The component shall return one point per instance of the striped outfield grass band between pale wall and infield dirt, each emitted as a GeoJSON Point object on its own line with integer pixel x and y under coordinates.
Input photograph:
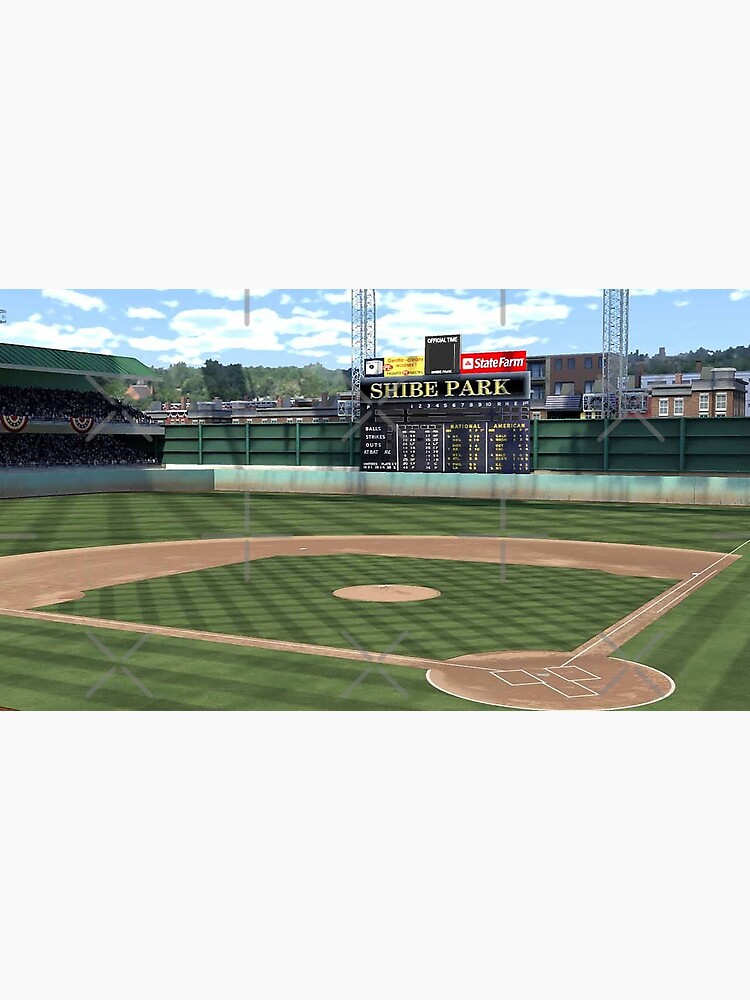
{"type": "Point", "coordinates": [120, 518]}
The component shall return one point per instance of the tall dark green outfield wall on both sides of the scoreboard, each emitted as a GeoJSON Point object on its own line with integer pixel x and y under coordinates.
{"type": "Point", "coordinates": [664, 445]}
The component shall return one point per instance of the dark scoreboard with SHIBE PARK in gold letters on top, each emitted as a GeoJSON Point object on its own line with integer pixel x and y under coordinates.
{"type": "Point", "coordinates": [447, 425]}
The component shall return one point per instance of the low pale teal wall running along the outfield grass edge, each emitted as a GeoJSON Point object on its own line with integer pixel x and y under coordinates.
{"type": "Point", "coordinates": [585, 487]}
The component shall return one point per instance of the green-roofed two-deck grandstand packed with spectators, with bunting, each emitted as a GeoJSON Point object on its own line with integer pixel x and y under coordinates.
{"type": "Point", "coordinates": [54, 410]}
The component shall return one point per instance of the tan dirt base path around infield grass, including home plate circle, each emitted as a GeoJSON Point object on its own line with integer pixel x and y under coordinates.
{"type": "Point", "coordinates": [583, 678]}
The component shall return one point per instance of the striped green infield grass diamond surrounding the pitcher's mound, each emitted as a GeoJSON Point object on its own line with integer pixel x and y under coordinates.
{"type": "Point", "coordinates": [482, 606]}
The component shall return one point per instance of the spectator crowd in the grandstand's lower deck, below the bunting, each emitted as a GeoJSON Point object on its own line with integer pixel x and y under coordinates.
{"type": "Point", "coordinates": [35, 450]}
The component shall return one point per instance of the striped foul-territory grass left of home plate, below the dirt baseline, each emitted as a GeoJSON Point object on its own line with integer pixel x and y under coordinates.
{"type": "Point", "coordinates": [52, 667]}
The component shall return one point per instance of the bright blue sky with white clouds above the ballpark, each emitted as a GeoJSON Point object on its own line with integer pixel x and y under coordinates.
{"type": "Point", "coordinates": [293, 326]}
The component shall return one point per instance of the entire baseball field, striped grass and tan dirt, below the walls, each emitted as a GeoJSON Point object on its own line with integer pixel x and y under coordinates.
{"type": "Point", "coordinates": [164, 601]}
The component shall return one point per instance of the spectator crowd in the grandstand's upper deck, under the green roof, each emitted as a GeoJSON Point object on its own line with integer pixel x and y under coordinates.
{"type": "Point", "coordinates": [62, 404]}
